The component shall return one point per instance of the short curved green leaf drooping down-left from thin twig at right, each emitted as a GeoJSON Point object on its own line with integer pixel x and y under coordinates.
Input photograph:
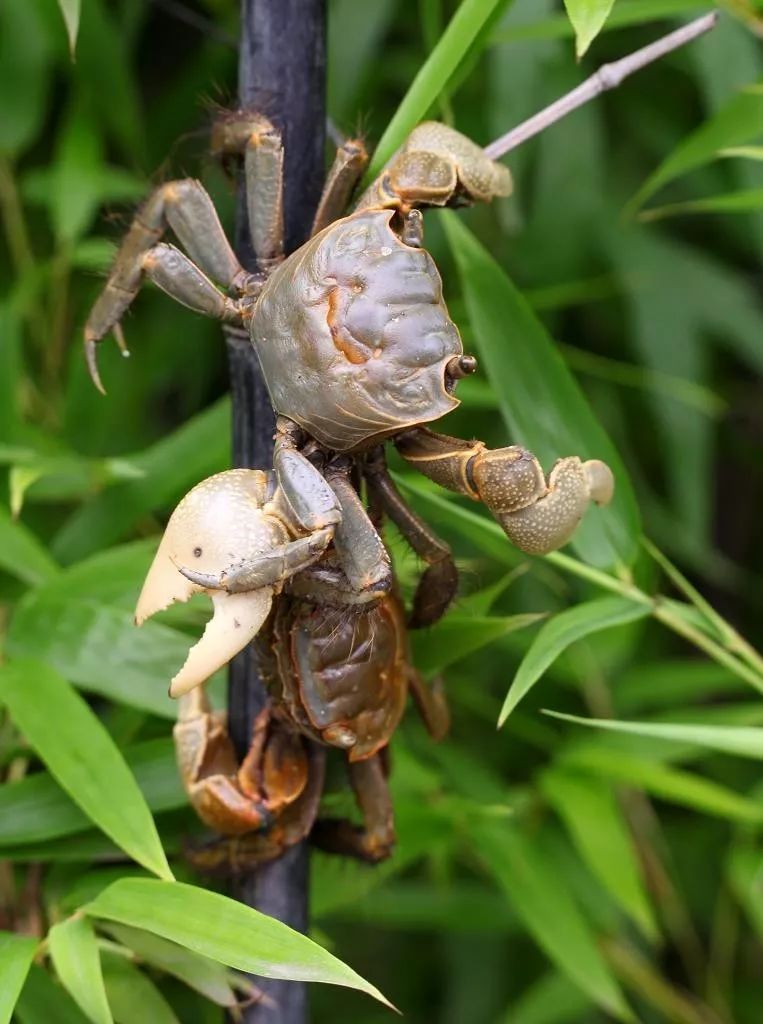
{"type": "Point", "coordinates": [559, 633]}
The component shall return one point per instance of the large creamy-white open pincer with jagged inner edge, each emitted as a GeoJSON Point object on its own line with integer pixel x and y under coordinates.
{"type": "Point", "coordinates": [216, 525]}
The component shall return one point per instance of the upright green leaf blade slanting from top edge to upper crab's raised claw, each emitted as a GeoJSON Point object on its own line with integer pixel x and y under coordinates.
{"type": "Point", "coordinates": [433, 77]}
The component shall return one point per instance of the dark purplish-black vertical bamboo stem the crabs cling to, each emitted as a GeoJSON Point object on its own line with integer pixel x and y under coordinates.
{"type": "Point", "coordinates": [282, 74]}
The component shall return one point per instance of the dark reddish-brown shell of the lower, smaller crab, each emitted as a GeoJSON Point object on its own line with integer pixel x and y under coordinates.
{"type": "Point", "coordinates": [345, 672]}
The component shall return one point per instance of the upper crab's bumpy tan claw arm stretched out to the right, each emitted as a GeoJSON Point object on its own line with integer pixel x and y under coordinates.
{"type": "Point", "coordinates": [537, 516]}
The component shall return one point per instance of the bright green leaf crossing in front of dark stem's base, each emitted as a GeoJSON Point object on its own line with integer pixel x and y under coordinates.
{"type": "Point", "coordinates": [224, 930]}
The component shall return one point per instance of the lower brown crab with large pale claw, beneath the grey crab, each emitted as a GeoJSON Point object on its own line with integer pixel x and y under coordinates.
{"type": "Point", "coordinates": [337, 668]}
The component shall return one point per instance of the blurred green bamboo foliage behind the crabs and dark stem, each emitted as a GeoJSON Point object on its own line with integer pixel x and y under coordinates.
{"type": "Point", "coordinates": [545, 873]}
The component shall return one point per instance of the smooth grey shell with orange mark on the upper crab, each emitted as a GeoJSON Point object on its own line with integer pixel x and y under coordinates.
{"type": "Point", "coordinates": [354, 336]}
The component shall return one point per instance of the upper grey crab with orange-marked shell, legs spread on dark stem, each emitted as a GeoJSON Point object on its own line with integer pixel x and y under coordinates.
{"type": "Point", "coordinates": [353, 335]}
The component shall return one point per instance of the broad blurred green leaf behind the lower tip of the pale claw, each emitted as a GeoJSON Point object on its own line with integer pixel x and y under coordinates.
{"type": "Point", "coordinates": [100, 649]}
